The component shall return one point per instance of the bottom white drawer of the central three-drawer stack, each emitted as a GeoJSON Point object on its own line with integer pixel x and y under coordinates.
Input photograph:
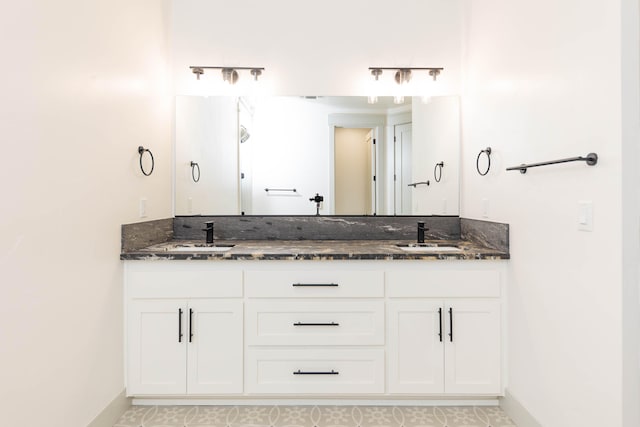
{"type": "Point", "coordinates": [315, 371]}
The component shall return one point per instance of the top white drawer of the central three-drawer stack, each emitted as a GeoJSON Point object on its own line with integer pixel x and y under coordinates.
{"type": "Point", "coordinates": [313, 284]}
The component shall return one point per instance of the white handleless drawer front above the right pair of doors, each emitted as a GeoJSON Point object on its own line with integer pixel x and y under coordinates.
{"type": "Point", "coordinates": [443, 283]}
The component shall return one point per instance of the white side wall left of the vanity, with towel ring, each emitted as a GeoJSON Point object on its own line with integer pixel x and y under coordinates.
{"type": "Point", "coordinates": [83, 85]}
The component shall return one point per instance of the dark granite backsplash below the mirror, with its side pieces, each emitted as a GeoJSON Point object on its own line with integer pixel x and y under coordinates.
{"type": "Point", "coordinates": [489, 234]}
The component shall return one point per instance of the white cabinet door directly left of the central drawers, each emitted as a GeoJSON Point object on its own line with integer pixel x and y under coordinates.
{"type": "Point", "coordinates": [214, 334]}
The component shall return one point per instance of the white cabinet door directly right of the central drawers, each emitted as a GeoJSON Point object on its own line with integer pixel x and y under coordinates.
{"type": "Point", "coordinates": [416, 355]}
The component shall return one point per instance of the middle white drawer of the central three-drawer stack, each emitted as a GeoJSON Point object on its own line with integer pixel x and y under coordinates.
{"type": "Point", "coordinates": [323, 322]}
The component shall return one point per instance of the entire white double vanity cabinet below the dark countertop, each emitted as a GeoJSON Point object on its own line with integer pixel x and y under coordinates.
{"type": "Point", "coordinates": [298, 329]}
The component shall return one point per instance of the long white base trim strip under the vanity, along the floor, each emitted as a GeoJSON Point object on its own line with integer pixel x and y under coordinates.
{"type": "Point", "coordinates": [319, 401]}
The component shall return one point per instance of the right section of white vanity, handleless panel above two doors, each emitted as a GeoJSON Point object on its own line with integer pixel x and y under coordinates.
{"type": "Point", "coordinates": [444, 332]}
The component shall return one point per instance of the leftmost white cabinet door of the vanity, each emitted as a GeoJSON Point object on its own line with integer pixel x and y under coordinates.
{"type": "Point", "coordinates": [157, 351]}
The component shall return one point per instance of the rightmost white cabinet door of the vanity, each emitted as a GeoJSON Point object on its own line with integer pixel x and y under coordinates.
{"type": "Point", "coordinates": [472, 352]}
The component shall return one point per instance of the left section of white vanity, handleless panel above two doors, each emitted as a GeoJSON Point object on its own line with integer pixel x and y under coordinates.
{"type": "Point", "coordinates": [184, 331]}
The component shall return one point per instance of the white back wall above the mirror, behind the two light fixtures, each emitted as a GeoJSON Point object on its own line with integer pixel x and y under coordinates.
{"type": "Point", "coordinates": [313, 48]}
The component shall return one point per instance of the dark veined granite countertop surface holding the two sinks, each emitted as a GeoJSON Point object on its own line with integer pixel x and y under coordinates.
{"type": "Point", "coordinates": [313, 250]}
